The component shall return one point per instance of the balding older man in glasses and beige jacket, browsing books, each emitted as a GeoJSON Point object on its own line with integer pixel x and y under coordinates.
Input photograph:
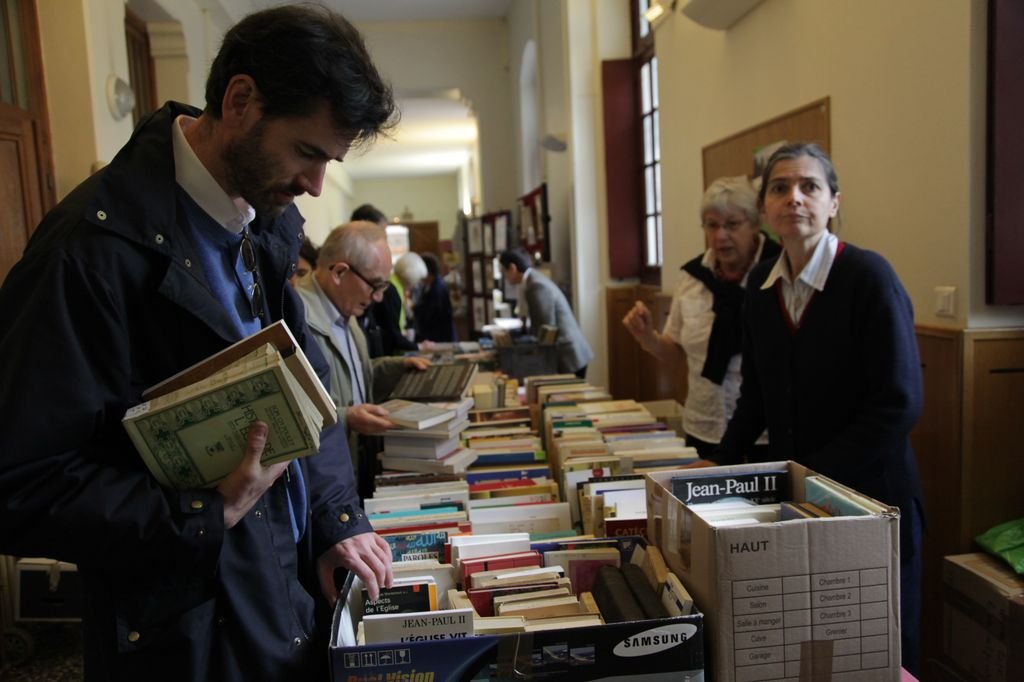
{"type": "Point", "coordinates": [352, 275]}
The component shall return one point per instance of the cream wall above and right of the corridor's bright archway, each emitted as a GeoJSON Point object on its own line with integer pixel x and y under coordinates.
{"type": "Point", "coordinates": [472, 56]}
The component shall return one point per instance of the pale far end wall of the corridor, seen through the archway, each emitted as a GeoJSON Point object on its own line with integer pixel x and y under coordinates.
{"type": "Point", "coordinates": [429, 198]}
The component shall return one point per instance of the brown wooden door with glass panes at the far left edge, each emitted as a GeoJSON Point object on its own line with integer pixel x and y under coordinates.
{"type": "Point", "coordinates": [26, 166]}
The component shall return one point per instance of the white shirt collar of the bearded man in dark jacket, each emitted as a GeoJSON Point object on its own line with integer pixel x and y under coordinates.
{"type": "Point", "coordinates": [194, 178]}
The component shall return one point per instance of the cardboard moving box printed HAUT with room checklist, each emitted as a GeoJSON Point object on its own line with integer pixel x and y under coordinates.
{"type": "Point", "coordinates": [809, 599]}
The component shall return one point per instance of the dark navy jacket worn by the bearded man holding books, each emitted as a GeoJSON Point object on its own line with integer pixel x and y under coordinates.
{"type": "Point", "coordinates": [110, 299]}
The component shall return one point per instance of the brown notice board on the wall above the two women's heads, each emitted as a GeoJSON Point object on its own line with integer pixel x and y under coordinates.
{"type": "Point", "coordinates": [735, 155]}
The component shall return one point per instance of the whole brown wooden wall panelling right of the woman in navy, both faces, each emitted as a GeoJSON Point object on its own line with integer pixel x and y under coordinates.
{"type": "Point", "coordinates": [969, 448]}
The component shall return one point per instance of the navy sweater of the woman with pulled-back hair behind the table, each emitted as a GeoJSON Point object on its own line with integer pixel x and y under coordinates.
{"type": "Point", "coordinates": [841, 394]}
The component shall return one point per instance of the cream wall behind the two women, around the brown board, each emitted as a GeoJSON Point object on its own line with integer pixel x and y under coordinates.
{"type": "Point", "coordinates": [908, 109]}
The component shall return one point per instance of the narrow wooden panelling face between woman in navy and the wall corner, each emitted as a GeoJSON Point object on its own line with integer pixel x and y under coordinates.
{"type": "Point", "coordinates": [936, 441]}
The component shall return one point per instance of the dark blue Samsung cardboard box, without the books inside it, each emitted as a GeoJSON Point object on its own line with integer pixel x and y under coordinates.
{"type": "Point", "coordinates": [656, 651]}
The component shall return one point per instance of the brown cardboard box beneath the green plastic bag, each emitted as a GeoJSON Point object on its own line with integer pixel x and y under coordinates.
{"type": "Point", "coordinates": [984, 618]}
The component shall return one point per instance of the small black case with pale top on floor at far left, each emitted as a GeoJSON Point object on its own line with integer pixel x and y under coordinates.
{"type": "Point", "coordinates": [48, 591]}
